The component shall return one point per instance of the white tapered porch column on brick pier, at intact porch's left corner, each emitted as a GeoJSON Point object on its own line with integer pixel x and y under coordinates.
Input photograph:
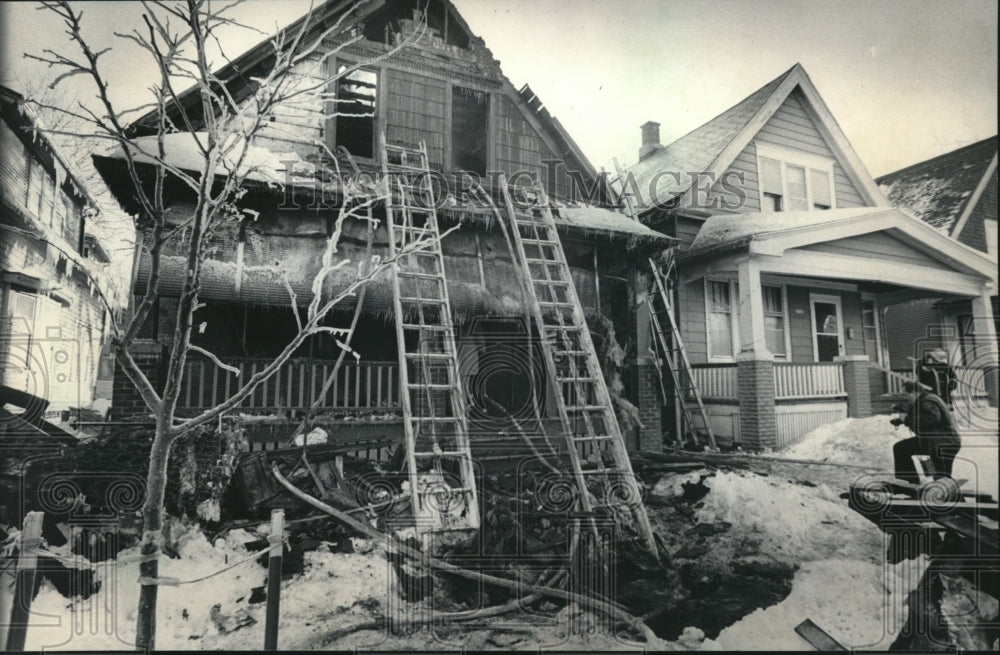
{"type": "Point", "coordinates": [755, 364]}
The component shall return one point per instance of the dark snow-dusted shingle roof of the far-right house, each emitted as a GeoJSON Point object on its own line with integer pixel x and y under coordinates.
{"type": "Point", "coordinates": [942, 190]}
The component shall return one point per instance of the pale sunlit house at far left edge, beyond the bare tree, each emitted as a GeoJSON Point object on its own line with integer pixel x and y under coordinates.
{"type": "Point", "coordinates": [52, 269]}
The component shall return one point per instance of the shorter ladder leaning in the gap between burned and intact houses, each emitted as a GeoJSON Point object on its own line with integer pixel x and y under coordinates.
{"type": "Point", "coordinates": [671, 354]}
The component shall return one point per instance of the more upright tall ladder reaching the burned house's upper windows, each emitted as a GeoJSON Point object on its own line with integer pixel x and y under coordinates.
{"type": "Point", "coordinates": [438, 454]}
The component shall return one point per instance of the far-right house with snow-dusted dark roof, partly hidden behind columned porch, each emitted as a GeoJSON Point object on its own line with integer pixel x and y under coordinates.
{"type": "Point", "coordinates": [956, 194]}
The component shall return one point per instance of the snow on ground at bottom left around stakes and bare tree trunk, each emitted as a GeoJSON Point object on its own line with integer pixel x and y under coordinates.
{"type": "Point", "coordinates": [332, 584]}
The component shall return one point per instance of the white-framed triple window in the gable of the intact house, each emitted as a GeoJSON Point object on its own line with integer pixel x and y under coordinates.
{"type": "Point", "coordinates": [793, 181]}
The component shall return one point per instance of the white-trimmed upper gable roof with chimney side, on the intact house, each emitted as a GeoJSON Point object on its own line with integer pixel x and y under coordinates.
{"type": "Point", "coordinates": [713, 146]}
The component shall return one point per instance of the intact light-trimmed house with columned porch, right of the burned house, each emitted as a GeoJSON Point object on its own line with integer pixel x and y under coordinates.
{"type": "Point", "coordinates": [788, 255]}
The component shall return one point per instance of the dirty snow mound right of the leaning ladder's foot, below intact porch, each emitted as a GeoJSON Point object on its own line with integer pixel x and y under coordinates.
{"type": "Point", "coordinates": [794, 523]}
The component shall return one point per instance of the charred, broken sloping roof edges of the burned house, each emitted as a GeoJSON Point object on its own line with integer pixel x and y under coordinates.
{"type": "Point", "coordinates": [237, 76]}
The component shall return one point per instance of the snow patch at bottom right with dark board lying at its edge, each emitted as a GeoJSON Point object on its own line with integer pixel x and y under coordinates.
{"type": "Point", "coordinates": [860, 604]}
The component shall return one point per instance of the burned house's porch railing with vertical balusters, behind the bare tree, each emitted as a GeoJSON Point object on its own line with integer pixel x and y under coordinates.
{"type": "Point", "coordinates": [358, 385]}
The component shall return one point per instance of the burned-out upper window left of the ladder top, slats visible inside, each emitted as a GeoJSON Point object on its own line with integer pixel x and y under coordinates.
{"type": "Point", "coordinates": [357, 92]}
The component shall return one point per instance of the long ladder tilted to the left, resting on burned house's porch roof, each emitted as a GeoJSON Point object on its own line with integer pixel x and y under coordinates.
{"type": "Point", "coordinates": [594, 441]}
